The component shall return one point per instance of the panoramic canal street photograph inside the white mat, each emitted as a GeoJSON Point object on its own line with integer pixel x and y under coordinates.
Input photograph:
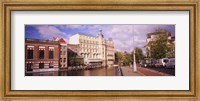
{"type": "Point", "coordinates": [99, 50]}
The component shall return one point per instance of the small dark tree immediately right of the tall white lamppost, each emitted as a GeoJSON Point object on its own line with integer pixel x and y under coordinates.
{"type": "Point", "coordinates": [138, 54]}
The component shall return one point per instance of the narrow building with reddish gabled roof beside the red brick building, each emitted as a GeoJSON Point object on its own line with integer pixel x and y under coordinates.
{"type": "Point", "coordinates": [63, 52]}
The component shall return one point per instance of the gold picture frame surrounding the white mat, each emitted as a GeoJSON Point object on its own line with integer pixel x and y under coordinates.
{"type": "Point", "coordinates": [123, 5]}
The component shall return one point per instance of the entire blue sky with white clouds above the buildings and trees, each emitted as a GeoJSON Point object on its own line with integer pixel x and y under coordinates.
{"type": "Point", "coordinates": [122, 35]}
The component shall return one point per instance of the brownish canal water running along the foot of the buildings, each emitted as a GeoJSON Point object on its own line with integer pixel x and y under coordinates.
{"type": "Point", "coordinates": [110, 71]}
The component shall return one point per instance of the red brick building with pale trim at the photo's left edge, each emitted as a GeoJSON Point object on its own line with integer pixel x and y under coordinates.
{"type": "Point", "coordinates": [41, 55]}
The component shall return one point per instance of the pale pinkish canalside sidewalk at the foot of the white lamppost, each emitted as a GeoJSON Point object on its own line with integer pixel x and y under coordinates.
{"type": "Point", "coordinates": [127, 71]}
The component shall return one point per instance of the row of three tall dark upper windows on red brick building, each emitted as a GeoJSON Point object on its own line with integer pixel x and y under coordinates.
{"type": "Point", "coordinates": [41, 54]}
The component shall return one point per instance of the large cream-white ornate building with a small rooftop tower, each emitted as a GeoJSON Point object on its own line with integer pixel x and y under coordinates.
{"type": "Point", "coordinates": [94, 49]}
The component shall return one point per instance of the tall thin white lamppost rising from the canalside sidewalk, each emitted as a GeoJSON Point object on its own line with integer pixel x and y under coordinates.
{"type": "Point", "coordinates": [134, 62]}
